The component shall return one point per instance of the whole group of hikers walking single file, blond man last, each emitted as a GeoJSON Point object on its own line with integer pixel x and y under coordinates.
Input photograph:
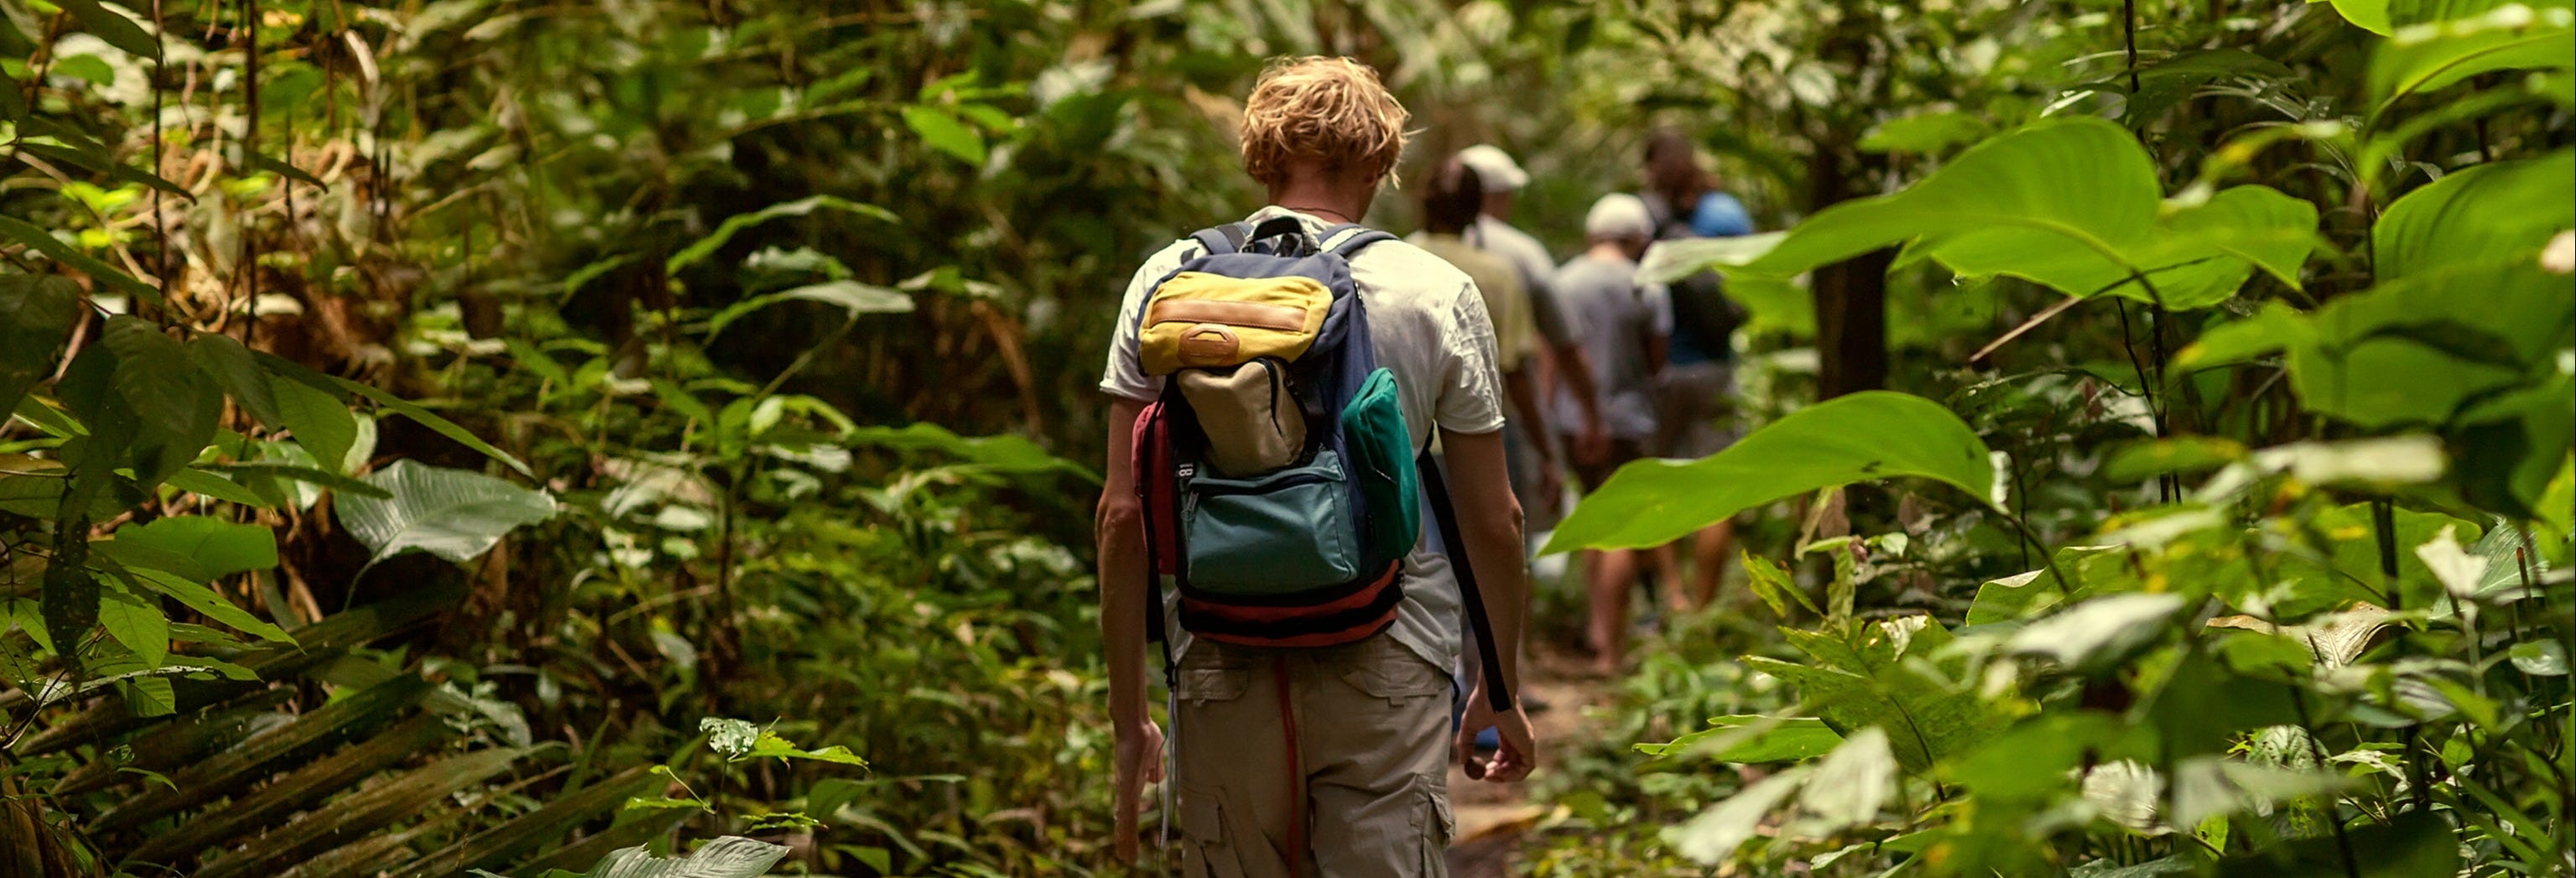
{"type": "Point", "coordinates": [1323, 442]}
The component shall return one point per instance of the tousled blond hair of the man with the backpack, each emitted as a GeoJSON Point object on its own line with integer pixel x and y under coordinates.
{"type": "Point", "coordinates": [1320, 109]}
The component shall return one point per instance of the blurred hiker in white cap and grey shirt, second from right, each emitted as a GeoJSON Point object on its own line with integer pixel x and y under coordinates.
{"type": "Point", "coordinates": [1624, 328]}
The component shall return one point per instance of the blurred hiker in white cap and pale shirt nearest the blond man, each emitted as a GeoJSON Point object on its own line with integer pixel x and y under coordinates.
{"type": "Point", "coordinates": [1495, 233]}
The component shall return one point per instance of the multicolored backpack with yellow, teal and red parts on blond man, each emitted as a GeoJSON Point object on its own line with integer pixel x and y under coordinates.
{"type": "Point", "coordinates": [1276, 470]}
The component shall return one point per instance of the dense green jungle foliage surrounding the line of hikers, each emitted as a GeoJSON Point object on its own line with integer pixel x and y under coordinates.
{"type": "Point", "coordinates": [486, 434]}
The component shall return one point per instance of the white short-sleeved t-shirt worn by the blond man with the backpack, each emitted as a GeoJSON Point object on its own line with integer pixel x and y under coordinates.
{"type": "Point", "coordinates": [1428, 326]}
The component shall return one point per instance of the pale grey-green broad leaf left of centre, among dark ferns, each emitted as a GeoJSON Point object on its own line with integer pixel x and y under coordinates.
{"type": "Point", "coordinates": [442, 511]}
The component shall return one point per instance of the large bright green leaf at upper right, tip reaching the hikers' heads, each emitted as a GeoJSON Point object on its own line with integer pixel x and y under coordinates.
{"type": "Point", "coordinates": [2067, 202]}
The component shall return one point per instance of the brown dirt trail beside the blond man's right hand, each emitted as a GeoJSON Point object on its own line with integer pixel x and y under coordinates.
{"type": "Point", "coordinates": [1493, 817]}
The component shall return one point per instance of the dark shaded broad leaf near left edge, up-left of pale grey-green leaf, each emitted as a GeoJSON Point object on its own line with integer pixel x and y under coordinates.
{"type": "Point", "coordinates": [148, 406]}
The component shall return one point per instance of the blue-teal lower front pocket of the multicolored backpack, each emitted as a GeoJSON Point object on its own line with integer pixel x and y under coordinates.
{"type": "Point", "coordinates": [1274, 534]}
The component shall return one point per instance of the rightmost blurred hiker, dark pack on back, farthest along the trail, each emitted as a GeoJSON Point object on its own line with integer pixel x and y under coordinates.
{"type": "Point", "coordinates": [1694, 398]}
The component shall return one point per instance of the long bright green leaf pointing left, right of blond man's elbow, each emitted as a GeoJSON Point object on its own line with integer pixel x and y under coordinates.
{"type": "Point", "coordinates": [1838, 442]}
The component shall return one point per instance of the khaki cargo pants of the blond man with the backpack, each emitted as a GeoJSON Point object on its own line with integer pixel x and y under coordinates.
{"type": "Point", "coordinates": [1359, 794]}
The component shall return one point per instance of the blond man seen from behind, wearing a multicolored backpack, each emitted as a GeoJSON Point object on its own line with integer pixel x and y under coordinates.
{"type": "Point", "coordinates": [1305, 761]}
